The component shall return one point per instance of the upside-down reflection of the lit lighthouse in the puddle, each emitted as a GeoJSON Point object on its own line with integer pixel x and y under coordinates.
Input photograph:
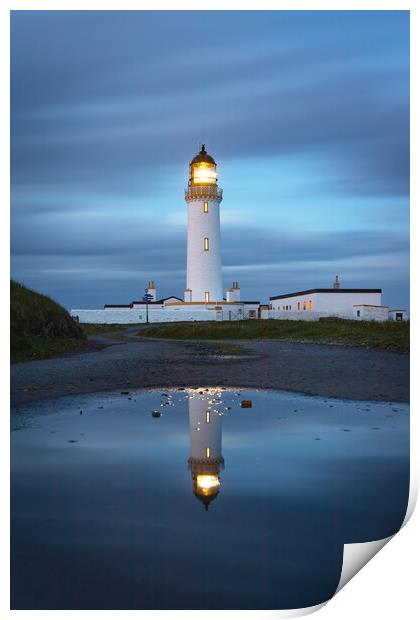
{"type": "Point", "coordinates": [206, 460]}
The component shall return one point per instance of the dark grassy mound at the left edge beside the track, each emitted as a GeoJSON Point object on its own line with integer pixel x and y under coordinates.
{"type": "Point", "coordinates": [39, 327]}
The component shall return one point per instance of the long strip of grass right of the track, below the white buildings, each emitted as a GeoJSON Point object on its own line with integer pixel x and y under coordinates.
{"type": "Point", "coordinates": [389, 335]}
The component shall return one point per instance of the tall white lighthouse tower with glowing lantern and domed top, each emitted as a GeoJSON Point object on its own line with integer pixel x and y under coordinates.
{"type": "Point", "coordinates": [204, 261]}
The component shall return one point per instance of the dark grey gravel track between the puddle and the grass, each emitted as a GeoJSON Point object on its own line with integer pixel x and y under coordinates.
{"type": "Point", "coordinates": [344, 372]}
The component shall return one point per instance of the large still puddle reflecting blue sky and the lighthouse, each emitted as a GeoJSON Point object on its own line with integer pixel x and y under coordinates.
{"type": "Point", "coordinates": [189, 500]}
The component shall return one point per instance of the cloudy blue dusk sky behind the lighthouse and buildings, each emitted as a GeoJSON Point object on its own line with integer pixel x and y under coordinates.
{"type": "Point", "coordinates": [306, 114]}
